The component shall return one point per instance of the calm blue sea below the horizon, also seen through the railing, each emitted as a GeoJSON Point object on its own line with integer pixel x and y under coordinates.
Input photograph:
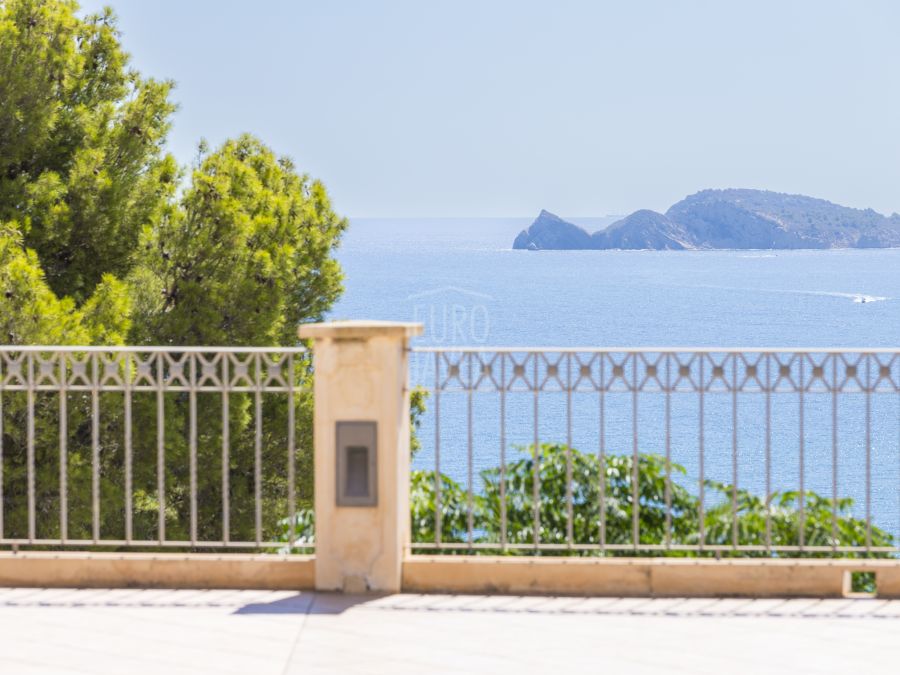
{"type": "Point", "coordinates": [463, 281]}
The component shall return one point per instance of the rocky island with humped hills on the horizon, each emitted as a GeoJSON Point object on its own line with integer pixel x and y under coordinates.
{"type": "Point", "coordinates": [716, 219]}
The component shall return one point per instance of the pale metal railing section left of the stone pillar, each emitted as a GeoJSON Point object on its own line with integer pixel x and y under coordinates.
{"type": "Point", "coordinates": [153, 447]}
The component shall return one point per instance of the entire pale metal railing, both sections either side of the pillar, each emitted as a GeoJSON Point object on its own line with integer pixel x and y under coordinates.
{"type": "Point", "coordinates": [211, 448]}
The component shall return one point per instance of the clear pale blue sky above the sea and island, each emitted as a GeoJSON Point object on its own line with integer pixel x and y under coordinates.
{"type": "Point", "coordinates": [501, 108]}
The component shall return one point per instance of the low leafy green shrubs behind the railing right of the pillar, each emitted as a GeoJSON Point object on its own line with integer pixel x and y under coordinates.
{"type": "Point", "coordinates": [822, 521]}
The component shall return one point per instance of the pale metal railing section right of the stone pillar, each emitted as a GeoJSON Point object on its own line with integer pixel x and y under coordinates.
{"type": "Point", "coordinates": [662, 450]}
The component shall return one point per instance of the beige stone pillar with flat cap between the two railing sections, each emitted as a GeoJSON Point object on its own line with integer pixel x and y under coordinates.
{"type": "Point", "coordinates": [361, 375]}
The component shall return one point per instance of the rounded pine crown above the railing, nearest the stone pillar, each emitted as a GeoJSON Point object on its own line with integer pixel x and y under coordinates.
{"type": "Point", "coordinates": [246, 256]}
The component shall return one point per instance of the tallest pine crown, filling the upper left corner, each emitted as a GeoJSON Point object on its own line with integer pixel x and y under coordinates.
{"type": "Point", "coordinates": [82, 168]}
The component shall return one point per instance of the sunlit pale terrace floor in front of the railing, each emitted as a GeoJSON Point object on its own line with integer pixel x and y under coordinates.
{"type": "Point", "coordinates": [160, 631]}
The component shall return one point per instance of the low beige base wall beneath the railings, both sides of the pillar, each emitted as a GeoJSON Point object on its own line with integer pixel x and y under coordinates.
{"type": "Point", "coordinates": [618, 577]}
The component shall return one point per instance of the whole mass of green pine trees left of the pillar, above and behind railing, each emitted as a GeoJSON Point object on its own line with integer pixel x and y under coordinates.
{"type": "Point", "coordinates": [105, 240]}
